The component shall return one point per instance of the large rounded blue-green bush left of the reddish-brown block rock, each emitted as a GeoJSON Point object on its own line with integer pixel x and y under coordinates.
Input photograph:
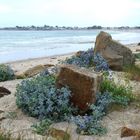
{"type": "Point", "coordinates": [40, 98]}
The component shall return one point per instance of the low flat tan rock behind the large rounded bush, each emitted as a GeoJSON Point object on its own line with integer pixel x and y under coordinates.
{"type": "Point", "coordinates": [34, 71]}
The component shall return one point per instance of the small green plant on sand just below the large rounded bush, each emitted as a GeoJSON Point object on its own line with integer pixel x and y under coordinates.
{"type": "Point", "coordinates": [42, 127]}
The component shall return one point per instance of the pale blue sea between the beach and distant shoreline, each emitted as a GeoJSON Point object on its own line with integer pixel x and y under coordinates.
{"type": "Point", "coordinates": [20, 45]}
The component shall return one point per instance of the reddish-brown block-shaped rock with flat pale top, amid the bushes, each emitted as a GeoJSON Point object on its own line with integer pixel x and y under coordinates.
{"type": "Point", "coordinates": [83, 84]}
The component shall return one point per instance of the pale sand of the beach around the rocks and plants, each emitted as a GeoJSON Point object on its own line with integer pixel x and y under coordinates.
{"type": "Point", "coordinates": [22, 123]}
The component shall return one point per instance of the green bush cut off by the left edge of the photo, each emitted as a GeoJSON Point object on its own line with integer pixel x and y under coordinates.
{"type": "Point", "coordinates": [6, 73]}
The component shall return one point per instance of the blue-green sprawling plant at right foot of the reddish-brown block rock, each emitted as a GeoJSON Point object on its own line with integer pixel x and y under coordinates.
{"type": "Point", "coordinates": [90, 124]}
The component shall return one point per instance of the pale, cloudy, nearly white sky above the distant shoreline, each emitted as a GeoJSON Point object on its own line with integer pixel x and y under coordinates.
{"type": "Point", "coordinates": [80, 13]}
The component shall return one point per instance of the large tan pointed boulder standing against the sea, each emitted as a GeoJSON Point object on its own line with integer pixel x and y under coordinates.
{"type": "Point", "coordinates": [116, 54]}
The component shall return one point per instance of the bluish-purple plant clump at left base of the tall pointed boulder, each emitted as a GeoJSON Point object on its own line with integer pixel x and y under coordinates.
{"type": "Point", "coordinates": [89, 59]}
